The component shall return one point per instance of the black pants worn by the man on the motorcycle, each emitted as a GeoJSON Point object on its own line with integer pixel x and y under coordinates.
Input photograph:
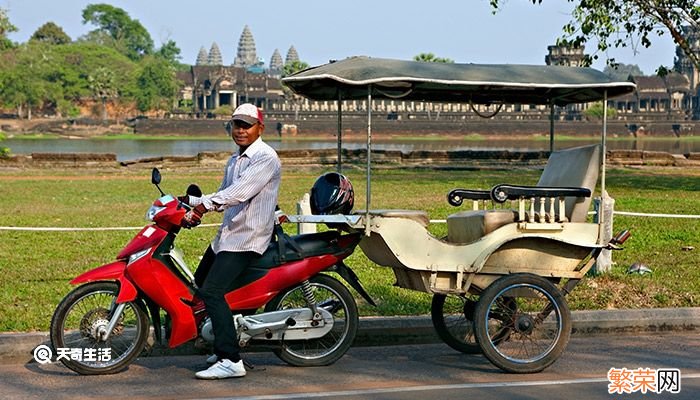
{"type": "Point", "coordinates": [215, 277]}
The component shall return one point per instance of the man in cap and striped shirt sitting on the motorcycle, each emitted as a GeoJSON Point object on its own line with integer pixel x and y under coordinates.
{"type": "Point", "coordinates": [247, 196]}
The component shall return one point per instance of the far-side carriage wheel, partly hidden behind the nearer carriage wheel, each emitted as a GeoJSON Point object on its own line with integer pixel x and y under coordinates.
{"type": "Point", "coordinates": [453, 319]}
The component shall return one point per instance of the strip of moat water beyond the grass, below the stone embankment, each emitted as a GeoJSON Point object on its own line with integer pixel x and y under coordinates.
{"type": "Point", "coordinates": [133, 149]}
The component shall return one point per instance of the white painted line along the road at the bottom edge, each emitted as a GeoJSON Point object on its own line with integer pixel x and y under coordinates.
{"type": "Point", "coordinates": [367, 392]}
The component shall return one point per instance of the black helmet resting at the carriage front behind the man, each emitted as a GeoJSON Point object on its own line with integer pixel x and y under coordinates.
{"type": "Point", "coordinates": [332, 193]}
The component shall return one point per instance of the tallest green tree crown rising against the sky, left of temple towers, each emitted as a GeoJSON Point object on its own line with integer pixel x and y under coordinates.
{"type": "Point", "coordinates": [127, 35]}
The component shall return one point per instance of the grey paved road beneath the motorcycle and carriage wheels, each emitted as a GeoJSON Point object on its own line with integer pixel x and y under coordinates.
{"type": "Point", "coordinates": [432, 371]}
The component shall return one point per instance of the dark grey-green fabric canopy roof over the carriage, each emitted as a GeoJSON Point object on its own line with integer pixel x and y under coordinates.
{"type": "Point", "coordinates": [351, 78]}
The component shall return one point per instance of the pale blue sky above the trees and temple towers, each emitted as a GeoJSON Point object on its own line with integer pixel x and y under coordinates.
{"type": "Point", "coordinates": [464, 31]}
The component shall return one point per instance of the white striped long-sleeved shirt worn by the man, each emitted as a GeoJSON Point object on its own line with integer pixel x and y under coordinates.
{"type": "Point", "coordinates": [247, 196]}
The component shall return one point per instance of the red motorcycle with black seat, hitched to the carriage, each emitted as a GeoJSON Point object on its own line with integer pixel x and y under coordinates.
{"type": "Point", "coordinates": [309, 318]}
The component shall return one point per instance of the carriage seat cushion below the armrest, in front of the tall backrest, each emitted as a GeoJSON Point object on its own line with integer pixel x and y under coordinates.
{"type": "Point", "coordinates": [468, 226]}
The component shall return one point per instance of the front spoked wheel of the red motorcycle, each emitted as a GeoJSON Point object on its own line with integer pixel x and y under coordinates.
{"type": "Point", "coordinates": [82, 318]}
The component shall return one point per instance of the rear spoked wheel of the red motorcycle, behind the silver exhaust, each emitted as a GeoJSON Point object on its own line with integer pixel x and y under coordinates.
{"type": "Point", "coordinates": [335, 298]}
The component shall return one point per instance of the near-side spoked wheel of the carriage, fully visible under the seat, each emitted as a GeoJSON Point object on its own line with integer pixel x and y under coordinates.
{"type": "Point", "coordinates": [522, 323]}
